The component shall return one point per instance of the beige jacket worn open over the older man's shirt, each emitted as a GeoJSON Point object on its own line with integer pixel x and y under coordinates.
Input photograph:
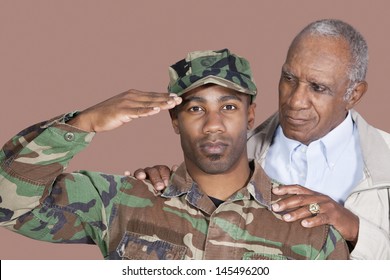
{"type": "Point", "coordinates": [369, 200]}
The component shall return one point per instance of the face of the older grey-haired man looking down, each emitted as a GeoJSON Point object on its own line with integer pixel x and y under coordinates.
{"type": "Point", "coordinates": [312, 88]}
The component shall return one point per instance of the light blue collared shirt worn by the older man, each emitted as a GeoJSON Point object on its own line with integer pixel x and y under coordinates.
{"type": "Point", "coordinates": [332, 165]}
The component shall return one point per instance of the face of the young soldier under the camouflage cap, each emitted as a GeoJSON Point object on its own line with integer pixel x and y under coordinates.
{"type": "Point", "coordinates": [212, 122]}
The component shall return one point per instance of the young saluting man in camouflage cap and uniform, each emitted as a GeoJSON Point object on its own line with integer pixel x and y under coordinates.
{"type": "Point", "coordinates": [217, 205]}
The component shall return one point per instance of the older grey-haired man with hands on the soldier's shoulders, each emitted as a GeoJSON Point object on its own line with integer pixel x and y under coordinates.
{"type": "Point", "coordinates": [318, 141]}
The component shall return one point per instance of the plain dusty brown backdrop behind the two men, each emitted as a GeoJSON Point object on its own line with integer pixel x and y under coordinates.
{"type": "Point", "coordinates": [58, 56]}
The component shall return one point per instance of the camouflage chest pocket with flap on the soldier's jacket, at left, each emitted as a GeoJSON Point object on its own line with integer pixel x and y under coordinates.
{"type": "Point", "coordinates": [135, 246]}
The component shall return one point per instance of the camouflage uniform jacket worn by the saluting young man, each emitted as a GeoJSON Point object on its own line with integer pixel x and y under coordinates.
{"type": "Point", "coordinates": [128, 220]}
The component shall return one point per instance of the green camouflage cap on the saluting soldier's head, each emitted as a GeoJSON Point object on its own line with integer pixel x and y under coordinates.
{"type": "Point", "coordinates": [218, 67]}
